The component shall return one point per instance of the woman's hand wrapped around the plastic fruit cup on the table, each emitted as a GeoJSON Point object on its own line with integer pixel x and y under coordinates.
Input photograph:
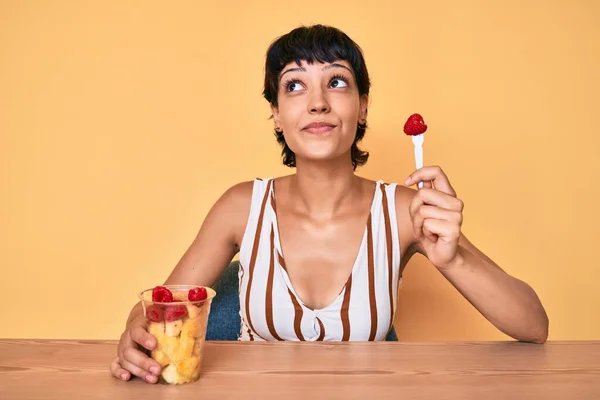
{"type": "Point", "coordinates": [130, 357]}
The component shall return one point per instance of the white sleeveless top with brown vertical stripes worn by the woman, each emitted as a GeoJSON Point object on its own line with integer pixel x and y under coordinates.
{"type": "Point", "coordinates": [270, 308]}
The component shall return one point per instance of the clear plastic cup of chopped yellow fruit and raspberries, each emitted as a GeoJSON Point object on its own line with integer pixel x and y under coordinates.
{"type": "Point", "coordinates": [180, 330]}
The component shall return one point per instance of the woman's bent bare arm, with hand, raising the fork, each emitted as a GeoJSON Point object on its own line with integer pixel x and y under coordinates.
{"type": "Point", "coordinates": [434, 216]}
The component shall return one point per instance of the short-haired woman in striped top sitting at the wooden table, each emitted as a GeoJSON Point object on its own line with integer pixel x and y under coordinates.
{"type": "Point", "coordinates": [322, 251]}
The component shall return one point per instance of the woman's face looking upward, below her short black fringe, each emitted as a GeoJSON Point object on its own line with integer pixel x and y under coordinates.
{"type": "Point", "coordinates": [319, 109]}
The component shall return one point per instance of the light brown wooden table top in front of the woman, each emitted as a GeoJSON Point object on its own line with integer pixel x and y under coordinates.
{"type": "Point", "coordinates": [46, 369]}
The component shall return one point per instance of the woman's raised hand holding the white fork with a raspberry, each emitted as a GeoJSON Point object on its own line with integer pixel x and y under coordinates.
{"type": "Point", "coordinates": [436, 215]}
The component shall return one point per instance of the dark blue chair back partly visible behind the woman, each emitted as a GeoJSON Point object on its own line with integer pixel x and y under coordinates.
{"type": "Point", "coordinates": [224, 318]}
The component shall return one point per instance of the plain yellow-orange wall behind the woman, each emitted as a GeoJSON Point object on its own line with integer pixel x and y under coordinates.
{"type": "Point", "coordinates": [122, 122]}
